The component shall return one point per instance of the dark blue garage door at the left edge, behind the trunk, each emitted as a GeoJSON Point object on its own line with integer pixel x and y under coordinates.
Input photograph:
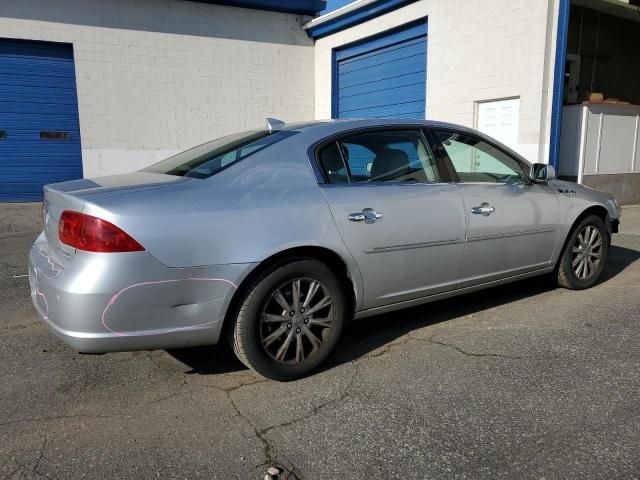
{"type": "Point", "coordinates": [39, 127]}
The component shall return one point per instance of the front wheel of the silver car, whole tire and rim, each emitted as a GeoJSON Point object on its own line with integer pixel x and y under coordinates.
{"type": "Point", "coordinates": [584, 255]}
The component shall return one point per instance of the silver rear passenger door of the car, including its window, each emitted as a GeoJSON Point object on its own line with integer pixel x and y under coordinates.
{"type": "Point", "coordinates": [399, 216]}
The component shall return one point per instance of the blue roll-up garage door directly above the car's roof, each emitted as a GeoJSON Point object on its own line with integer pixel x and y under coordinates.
{"type": "Point", "coordinates": [383, 77]}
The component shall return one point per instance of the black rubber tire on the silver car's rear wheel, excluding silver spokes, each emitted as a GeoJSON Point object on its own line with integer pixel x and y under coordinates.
{"type": "Point", "coordinates": [248, 332]}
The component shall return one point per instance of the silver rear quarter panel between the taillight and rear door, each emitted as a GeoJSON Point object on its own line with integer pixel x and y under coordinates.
{"type": "Point", "coordinates": [246, 213]}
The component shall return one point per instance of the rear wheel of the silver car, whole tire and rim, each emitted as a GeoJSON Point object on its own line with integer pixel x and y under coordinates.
{"type": "Point", "coordinates": [290, 319]}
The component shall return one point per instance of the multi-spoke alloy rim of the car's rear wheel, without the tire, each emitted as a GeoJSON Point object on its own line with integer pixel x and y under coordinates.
{"type": "Point", "coordinates": [296, 320]}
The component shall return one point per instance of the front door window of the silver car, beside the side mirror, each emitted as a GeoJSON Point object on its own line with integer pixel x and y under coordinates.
{"type": "Point", "coordinates": [478, 161]}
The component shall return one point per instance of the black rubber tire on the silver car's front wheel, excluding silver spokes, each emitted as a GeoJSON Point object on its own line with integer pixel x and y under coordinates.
{"type": "Point", "coordinates": [566, 274]}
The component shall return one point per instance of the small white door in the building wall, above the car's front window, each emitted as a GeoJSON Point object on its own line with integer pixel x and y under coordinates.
{"type": "Point", "coordinates": [500, 119]}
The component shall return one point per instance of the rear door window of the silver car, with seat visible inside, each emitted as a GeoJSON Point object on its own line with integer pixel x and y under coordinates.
{"type": "Point", "coordinates": [379, 156]}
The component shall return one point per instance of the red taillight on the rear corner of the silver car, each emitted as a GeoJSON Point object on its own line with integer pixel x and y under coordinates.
{"type": "Point", "coordinates": [92, 234]}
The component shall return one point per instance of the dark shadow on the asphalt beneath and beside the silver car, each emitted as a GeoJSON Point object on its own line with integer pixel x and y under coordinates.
{"type": "Point", "coordinates": [361, 337]}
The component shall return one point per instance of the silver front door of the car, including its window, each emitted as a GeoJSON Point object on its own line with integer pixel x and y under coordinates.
{"type": "Point", "coordinates": [512, 223]}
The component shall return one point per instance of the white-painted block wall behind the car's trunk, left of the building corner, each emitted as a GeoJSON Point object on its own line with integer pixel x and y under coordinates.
{"type": "Point", "coordinates": [158, 76]}
